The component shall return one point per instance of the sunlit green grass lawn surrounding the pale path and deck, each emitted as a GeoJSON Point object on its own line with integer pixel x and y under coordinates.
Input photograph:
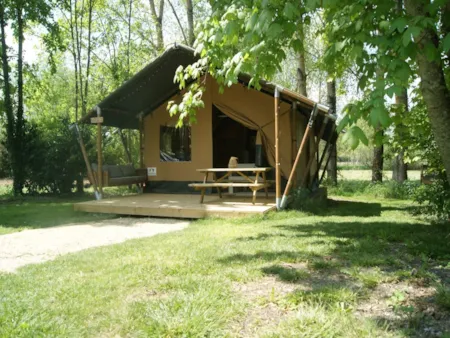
{"type": "Point", "coordinates": [363, 268]}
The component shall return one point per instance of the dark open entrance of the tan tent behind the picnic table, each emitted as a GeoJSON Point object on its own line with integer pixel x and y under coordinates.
{"type": "Point", "coordinates": [231, 138]}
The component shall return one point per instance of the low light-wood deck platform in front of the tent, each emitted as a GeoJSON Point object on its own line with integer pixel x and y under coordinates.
{"type": "Point", "coordinates": [179, 206]}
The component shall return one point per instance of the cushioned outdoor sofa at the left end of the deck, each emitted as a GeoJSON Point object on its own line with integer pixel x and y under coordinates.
{"type": "Point", "coordinates": [118, 175]}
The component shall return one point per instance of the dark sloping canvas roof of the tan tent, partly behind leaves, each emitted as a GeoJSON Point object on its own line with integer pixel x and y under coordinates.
{"type": "Point", "coordinates": [154, 85]}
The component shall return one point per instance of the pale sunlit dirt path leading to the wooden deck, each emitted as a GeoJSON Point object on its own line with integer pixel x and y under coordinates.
{"type": "Point", "coordinates": [40, 245]}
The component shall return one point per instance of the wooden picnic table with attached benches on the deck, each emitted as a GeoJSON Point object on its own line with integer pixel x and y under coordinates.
{"type": "Point", "coordinates": [256, 182]}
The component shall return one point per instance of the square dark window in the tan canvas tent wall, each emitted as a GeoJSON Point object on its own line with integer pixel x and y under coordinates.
{"type": "Point", "coordinates": [175, 144]}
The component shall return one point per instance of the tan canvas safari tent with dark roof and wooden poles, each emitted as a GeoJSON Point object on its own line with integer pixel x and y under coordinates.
{"type": "Point", "coordinates": [241, 122]}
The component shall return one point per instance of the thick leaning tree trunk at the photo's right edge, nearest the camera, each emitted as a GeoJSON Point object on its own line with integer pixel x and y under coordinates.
{"type": "Point", "coordinates": [433, 87]}
